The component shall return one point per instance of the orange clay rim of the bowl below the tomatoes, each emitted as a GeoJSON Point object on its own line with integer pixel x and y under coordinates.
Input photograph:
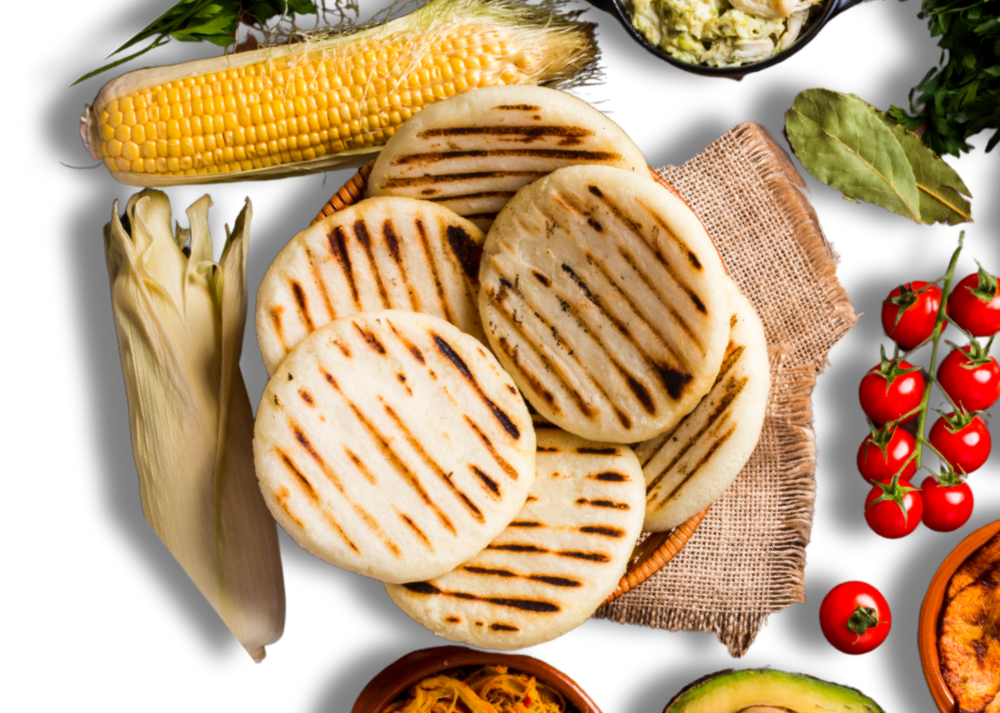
{"type": "Point", "coordinates": [930, 614]}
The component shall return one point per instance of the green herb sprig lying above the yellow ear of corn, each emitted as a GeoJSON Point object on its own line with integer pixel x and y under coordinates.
{"type": "Point", "coordinates": [212, 21]}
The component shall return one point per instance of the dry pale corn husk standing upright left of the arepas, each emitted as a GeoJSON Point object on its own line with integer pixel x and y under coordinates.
{"type": "Point", "coordinates": [180, 323]}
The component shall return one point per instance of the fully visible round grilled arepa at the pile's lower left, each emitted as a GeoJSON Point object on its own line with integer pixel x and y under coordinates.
{"type": "Point", "coordinates": [391, 444]}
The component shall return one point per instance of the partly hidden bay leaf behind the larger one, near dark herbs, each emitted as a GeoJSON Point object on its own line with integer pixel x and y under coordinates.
{"type": "Point", "coordinates": [944, 197]}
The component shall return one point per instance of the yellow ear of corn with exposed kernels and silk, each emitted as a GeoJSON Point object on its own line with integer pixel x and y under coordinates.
{"type": "Point", "coordinates": [325, 104]}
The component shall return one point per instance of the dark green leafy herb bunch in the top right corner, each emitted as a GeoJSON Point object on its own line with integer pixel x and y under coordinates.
{"type": "Point", "coordinates": [960, 98]}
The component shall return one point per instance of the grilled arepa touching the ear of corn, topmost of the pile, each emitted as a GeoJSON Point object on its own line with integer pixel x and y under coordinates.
{"type": "Point", "coordinates": [471, 153]}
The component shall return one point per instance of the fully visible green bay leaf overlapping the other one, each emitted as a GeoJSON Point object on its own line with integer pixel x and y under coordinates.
{"type": "Point", "coordinates": [842, 143]}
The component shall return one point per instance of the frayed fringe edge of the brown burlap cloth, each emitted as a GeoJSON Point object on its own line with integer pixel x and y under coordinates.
{"type": "Point", "coordinates": [790, 410]}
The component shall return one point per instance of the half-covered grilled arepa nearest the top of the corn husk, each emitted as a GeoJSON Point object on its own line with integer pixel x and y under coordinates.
{"type": "Point", "coordinates": [385, 253]}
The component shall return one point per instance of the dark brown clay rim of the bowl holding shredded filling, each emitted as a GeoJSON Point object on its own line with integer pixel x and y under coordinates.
{"type": "Point", "coordinates": [394, 680]}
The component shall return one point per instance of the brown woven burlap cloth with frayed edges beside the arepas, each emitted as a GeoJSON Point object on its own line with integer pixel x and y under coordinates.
{"type": "Point", "coordinates": [747, 559]}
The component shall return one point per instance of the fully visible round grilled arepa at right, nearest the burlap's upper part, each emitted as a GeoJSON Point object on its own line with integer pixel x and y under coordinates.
{"type": "Point", "coordinates": [605, 299]}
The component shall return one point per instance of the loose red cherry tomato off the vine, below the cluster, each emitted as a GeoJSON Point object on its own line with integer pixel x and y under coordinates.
{"type": "Point", "coordinates": [855, 617]}
